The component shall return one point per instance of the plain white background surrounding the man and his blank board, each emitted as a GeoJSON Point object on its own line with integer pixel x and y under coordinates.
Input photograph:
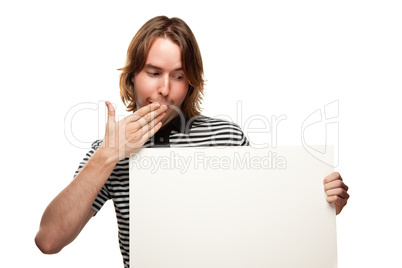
{"type": "Point", "coordinates": [278, 58]}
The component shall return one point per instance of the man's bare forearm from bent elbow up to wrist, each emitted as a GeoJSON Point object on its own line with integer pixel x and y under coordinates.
{"type": "Point", "coordinates": [66, 215]}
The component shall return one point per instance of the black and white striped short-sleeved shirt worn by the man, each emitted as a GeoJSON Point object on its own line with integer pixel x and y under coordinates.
{"type": "Point", "coordinates": [200, 131]}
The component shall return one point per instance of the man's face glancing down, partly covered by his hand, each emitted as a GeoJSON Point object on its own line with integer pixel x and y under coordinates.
{"type": "Point", "coordinates": [162, 78]}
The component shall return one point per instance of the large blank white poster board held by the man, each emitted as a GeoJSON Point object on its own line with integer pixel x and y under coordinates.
{"type": "Point", "coordinates": [235, 207]}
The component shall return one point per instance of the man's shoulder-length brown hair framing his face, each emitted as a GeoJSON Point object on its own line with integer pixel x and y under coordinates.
{"type": "Point", "coordinates": [178, 31]}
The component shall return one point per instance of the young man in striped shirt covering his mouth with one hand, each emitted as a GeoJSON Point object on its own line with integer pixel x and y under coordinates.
{"type": "Point", "coordinates": [162, 84]}
